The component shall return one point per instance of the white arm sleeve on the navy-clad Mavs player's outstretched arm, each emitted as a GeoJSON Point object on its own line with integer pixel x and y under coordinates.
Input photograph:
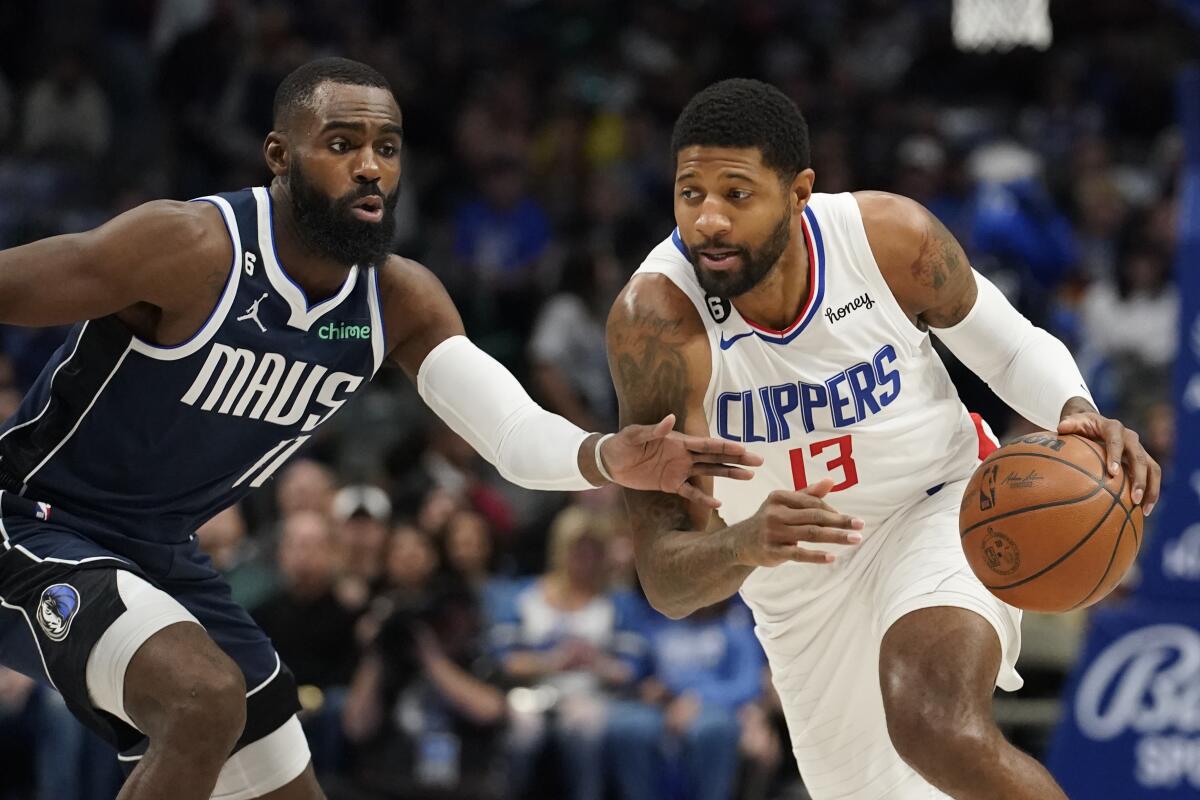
{"type": "Point", "coordinates": [485, 405]}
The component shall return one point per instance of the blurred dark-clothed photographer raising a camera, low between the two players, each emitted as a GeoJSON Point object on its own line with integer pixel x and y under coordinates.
{"type": "Point", "coordinates": [425, 717]}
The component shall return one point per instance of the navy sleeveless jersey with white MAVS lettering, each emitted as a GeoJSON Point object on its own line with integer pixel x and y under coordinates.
{"type": "Point", "coordinates": [149, 441]}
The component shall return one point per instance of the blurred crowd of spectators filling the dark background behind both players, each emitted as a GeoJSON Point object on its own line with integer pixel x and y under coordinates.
{"type": "Point", "coordinates": [455, 636]}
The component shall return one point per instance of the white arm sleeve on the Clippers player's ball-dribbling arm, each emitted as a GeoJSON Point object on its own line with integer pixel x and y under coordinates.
{"type": "Point", "coordinates": [1028, 368]}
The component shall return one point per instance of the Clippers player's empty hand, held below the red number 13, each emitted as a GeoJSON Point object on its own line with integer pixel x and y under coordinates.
{"type": "Point", "coordinates": [787, 520]}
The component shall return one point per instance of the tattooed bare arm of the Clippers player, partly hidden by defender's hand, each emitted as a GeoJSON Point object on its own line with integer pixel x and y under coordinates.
{"type": "Point", "coordinates": [687, 558]}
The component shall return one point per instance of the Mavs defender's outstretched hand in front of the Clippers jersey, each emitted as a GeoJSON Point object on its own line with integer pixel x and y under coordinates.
{"type": "Point", "coordinates": [657, 459]}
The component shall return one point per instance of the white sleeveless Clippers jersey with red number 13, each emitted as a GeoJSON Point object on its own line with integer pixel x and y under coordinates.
{"type": "Point", "coordinates": [851, 392]}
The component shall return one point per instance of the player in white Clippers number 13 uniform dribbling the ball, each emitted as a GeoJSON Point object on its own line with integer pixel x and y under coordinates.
{"type": "Point", "coordinates": [799, 326]}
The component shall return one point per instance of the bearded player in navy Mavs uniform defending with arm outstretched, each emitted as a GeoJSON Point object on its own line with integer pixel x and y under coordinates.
{"type": "Point", "coordinates": [203, 365]}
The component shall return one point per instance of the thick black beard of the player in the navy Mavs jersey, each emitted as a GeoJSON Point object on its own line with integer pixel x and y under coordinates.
{"type": "Point", "coordinates": [329, 228]}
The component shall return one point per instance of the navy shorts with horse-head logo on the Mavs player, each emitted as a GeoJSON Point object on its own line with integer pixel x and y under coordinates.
{"type": "Point", "coordinates": [59, 594]}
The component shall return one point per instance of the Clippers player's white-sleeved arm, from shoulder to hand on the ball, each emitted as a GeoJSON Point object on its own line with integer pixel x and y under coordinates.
{"type": "Point", "coordinates": [1028, 368]}
